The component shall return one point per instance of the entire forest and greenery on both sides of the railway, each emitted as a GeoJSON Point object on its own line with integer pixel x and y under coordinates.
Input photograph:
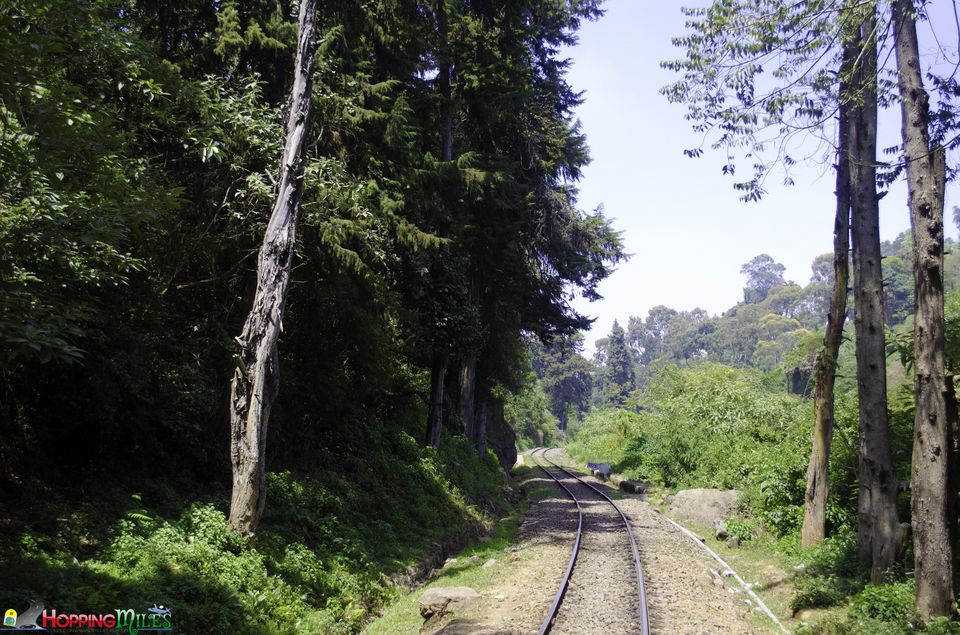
{"type": "Point", "coordinates": [285, 286]}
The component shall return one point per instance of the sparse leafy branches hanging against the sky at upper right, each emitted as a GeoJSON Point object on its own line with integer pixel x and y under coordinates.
{"type": "Point", "coordinates": [754, 67]}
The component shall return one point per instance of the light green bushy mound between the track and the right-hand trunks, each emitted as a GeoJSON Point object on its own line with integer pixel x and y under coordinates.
{"type": "Point", "coordinates": [710, 426]}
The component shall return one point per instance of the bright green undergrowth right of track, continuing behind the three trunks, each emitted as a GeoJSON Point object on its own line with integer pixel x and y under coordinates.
{"type": "Point", "coordinates": [714, 426]}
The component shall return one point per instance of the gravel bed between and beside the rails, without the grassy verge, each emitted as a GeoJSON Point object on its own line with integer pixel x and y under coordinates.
{"type": "Point", "coordinates": [683, 595]}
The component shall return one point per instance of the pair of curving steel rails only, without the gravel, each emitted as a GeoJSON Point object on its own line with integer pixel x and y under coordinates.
{"type": "Point", "coordinates": [564, 583]}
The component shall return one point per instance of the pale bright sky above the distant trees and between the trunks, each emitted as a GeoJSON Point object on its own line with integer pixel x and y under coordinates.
{"type": "Point", "coordinates": [682, 220]}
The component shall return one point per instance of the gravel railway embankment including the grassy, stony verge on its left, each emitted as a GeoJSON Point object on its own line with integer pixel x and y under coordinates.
{"type": "Point", "coordinates": [515, 573]}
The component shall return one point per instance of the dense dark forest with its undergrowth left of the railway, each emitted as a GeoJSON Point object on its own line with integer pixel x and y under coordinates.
{"type": "Point", "coordinates": [425, 195]}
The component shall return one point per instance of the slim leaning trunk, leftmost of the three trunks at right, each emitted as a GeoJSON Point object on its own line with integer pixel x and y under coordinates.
{"type": "Point", "coordinates": [815, 508]}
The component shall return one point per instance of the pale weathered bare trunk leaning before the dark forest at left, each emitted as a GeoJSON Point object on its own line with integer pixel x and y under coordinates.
{"type": "Point", "coordinates": [256, 380]}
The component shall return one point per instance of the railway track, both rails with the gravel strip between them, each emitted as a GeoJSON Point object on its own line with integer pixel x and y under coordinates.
{"type": "Point", "coordinates": [594, 525]}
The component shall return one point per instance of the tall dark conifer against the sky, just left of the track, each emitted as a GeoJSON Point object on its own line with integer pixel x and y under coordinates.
{"type": "Point", "coordinates": [504, 203]}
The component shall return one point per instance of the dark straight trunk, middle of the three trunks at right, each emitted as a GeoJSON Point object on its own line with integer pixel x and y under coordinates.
{"type": "Point", "coordinates": [877, 525]}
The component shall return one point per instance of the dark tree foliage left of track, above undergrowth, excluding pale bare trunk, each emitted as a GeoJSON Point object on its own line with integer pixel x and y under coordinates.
{"type": "Point", "coordinates": [138, 152]}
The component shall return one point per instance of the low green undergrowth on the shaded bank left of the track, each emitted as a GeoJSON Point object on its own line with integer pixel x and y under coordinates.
{"type": "Point", "coordinates": [319, 562]}
